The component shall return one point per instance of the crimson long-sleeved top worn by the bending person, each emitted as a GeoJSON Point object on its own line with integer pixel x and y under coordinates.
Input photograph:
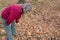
{"type": "Point", "coordinates": [11, 13]}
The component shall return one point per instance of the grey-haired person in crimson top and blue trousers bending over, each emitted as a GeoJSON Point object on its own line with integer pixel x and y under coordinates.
{"type": "Point", "coordinates": [12, 14]}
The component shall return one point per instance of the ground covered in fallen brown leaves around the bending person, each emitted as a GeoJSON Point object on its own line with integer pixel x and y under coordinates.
{"type": "Point", "coordinates": [42, 23]}
